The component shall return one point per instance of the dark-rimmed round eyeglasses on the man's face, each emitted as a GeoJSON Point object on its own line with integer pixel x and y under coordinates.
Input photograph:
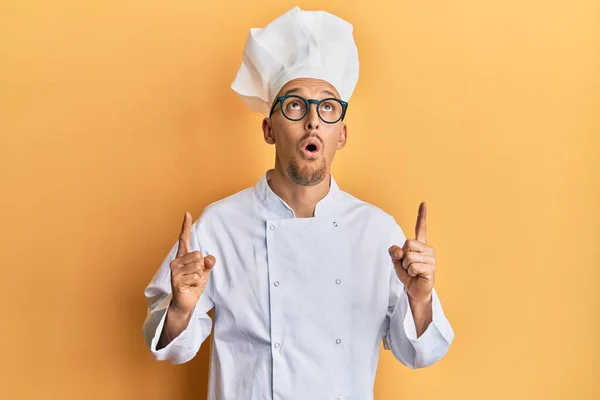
{"type": "Point", "coordinates": [295, 108]}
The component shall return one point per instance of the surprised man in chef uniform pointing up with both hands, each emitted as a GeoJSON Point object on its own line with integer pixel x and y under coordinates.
{"type": "Point", "coordinates": [305, 279]}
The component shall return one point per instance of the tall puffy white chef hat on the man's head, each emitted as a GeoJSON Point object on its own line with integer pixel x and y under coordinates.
{"type": "Point", "coordinates": [298, 44]}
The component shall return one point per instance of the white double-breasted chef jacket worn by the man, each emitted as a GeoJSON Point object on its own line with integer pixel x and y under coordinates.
{"type": "Point", "coordinates": [301, 304]}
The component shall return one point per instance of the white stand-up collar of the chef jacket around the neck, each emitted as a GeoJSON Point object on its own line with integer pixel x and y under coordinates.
{"type": "Point", "coordinates": [272, 202]}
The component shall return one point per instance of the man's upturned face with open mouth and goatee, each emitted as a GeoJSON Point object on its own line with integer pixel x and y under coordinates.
{"type": "Point", "coordinates": [305, 149]}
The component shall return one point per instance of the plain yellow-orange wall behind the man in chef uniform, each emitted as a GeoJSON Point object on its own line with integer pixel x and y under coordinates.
{"type": "Point", "coordinates": [117, 116]}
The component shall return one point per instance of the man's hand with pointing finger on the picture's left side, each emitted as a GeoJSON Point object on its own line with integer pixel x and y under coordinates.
{"type": "Point", "coordinates": [189, 272]}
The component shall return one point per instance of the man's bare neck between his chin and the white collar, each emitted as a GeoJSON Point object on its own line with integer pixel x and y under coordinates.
{"type": "Point", "coordinates": [302, 199]}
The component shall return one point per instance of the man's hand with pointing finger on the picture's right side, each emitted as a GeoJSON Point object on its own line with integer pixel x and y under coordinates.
{"type": "Point", "coordinates": [415, 261]}
